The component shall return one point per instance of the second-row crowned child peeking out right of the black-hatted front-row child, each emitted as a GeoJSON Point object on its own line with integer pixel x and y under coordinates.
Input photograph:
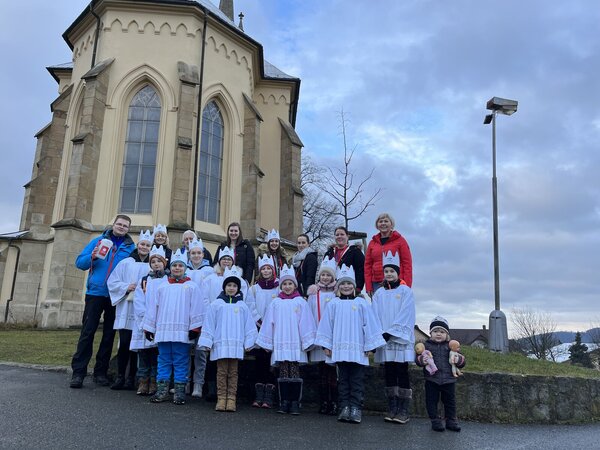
{"type": "Point", "coordinates": [260, 296]}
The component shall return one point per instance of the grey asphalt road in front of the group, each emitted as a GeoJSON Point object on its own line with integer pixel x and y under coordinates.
{"type": "Point", "coordinates": [38, 410]}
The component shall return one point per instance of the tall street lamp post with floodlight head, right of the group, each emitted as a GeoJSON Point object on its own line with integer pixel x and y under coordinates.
{"type": "Point", "coordinates": [498, 337]}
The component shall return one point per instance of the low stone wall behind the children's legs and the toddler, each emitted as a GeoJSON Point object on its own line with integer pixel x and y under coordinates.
{"type": "Point", "coordinates": [481, 397]}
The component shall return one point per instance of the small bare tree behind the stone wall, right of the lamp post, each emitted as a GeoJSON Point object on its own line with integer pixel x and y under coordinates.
{"type": "Point", "coordinates": [535, 330]}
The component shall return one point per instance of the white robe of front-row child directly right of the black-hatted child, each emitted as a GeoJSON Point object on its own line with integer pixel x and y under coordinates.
{"type": "Point", "coordinates": [288, 330]}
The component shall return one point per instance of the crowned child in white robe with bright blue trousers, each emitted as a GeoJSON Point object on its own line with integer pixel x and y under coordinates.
{"type": "Point", "coordinates": [174, 315]}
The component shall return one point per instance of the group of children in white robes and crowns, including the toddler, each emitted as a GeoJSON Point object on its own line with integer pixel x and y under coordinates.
{"type": "Point", "coordinates": [168, 305]}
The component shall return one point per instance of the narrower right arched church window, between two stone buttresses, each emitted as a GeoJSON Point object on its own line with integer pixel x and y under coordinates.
{"type": "Point", "coordinates": [211, 163]}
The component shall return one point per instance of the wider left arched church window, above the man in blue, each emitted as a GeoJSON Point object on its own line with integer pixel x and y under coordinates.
{"type": "Point", "coordinates": [139, 165]}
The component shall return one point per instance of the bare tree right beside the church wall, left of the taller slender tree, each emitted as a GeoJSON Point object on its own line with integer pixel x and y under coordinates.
{"type": "Point", "coordinates": [319, 211]}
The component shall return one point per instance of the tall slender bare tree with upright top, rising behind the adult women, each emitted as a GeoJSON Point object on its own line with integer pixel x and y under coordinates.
{"type": "Point", "coordinates": [347, 190]}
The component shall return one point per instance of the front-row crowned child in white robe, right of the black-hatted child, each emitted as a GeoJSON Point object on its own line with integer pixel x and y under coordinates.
{"type": "Point", "coordinates": [288, 331]}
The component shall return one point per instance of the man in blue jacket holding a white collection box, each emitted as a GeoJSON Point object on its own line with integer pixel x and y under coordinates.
{"type": "Point", "coordinates": [97, 301]}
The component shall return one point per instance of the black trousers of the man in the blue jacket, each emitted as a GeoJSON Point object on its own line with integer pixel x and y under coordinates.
{"type": "Point", "coordinates": [95, 306]}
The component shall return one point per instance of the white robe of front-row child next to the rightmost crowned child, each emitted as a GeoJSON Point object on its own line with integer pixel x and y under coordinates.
{"type": "Point", "coordinates": [349, 328]}
